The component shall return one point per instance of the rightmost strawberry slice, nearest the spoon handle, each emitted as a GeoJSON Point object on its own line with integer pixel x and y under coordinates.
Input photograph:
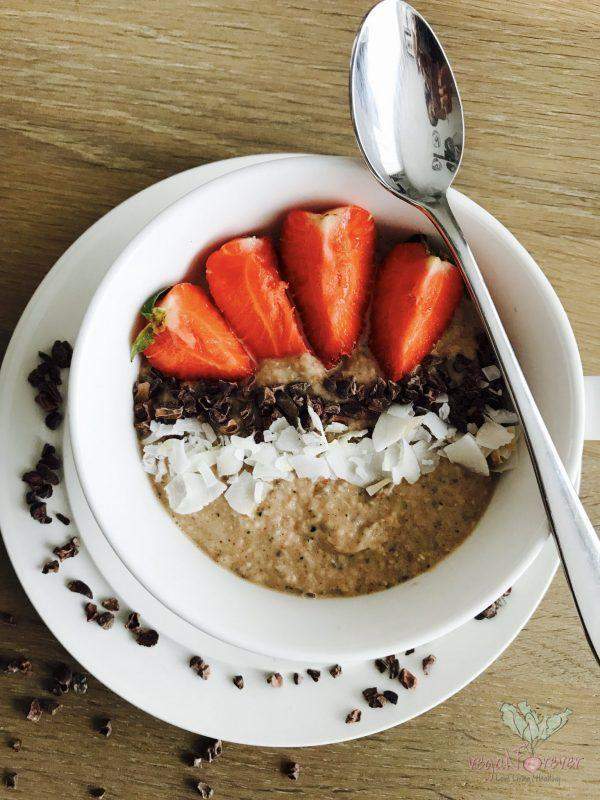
{"type": "Point", "coordinates": [414, 299]}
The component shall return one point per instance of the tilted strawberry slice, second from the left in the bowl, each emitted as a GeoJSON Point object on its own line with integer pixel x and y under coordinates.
{"type": "Point", "coordinates": [245, 283]}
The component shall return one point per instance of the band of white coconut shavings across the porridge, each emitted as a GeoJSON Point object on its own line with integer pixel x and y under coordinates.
{"type": "Point", "coordinates": [198, 465]}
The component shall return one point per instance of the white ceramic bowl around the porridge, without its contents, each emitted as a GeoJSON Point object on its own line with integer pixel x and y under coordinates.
{"type": "Point", "coordinates": [179, 574]}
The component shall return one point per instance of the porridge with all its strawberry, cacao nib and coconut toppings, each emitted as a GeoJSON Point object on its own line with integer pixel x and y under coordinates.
{"type": "Point", "coordinates": [333, 437]}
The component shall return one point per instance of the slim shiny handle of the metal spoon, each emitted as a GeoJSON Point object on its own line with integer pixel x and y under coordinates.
{"type": "Point", "coordinates": [575, 536]}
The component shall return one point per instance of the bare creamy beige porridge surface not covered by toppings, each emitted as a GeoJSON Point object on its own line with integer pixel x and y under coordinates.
{"type": "Point", "coordinates": [330, 538]}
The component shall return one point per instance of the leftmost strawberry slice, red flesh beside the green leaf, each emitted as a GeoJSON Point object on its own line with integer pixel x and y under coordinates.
{"type": "Point", "coordinates": [194, 341]}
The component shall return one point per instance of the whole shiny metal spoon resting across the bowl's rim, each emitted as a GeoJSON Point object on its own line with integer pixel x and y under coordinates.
{"type": "Point", "coordinates": [409, 124]}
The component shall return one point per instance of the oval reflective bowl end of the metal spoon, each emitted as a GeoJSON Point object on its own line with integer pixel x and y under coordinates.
{"type": "Point", "coordinates": [407, 111]}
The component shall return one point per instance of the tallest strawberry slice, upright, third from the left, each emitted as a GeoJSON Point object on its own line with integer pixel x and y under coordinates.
{"type": "Point", "coordinates": [328, 260]}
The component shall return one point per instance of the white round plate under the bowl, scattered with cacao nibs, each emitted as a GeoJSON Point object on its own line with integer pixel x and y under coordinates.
{"type": "Point", "coordinates": [158, 680]}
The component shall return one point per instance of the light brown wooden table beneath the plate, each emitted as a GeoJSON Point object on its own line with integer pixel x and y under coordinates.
{"type": "Point", "coordinates": [97, 101]}
